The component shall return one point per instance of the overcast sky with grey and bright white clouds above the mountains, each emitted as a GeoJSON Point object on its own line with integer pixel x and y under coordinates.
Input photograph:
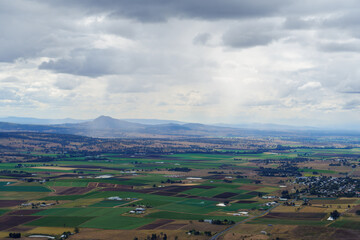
{"type": "Point", "coordinates": [230, 61]}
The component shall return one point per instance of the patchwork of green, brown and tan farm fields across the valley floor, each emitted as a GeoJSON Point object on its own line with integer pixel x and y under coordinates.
{"type": "Point", "coordinates": [185, 196]}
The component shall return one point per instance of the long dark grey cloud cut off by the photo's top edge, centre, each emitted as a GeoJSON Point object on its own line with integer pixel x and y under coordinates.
{"type": "Point", "coordinates": [161, 10]}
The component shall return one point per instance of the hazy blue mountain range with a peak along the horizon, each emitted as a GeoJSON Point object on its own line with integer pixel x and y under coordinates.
{"type": "Point", "coordinates": [107, 127]}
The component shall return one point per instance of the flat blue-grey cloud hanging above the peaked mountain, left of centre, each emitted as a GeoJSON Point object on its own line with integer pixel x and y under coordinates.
{"type": "Point", "coordinates": [111, 61]}
